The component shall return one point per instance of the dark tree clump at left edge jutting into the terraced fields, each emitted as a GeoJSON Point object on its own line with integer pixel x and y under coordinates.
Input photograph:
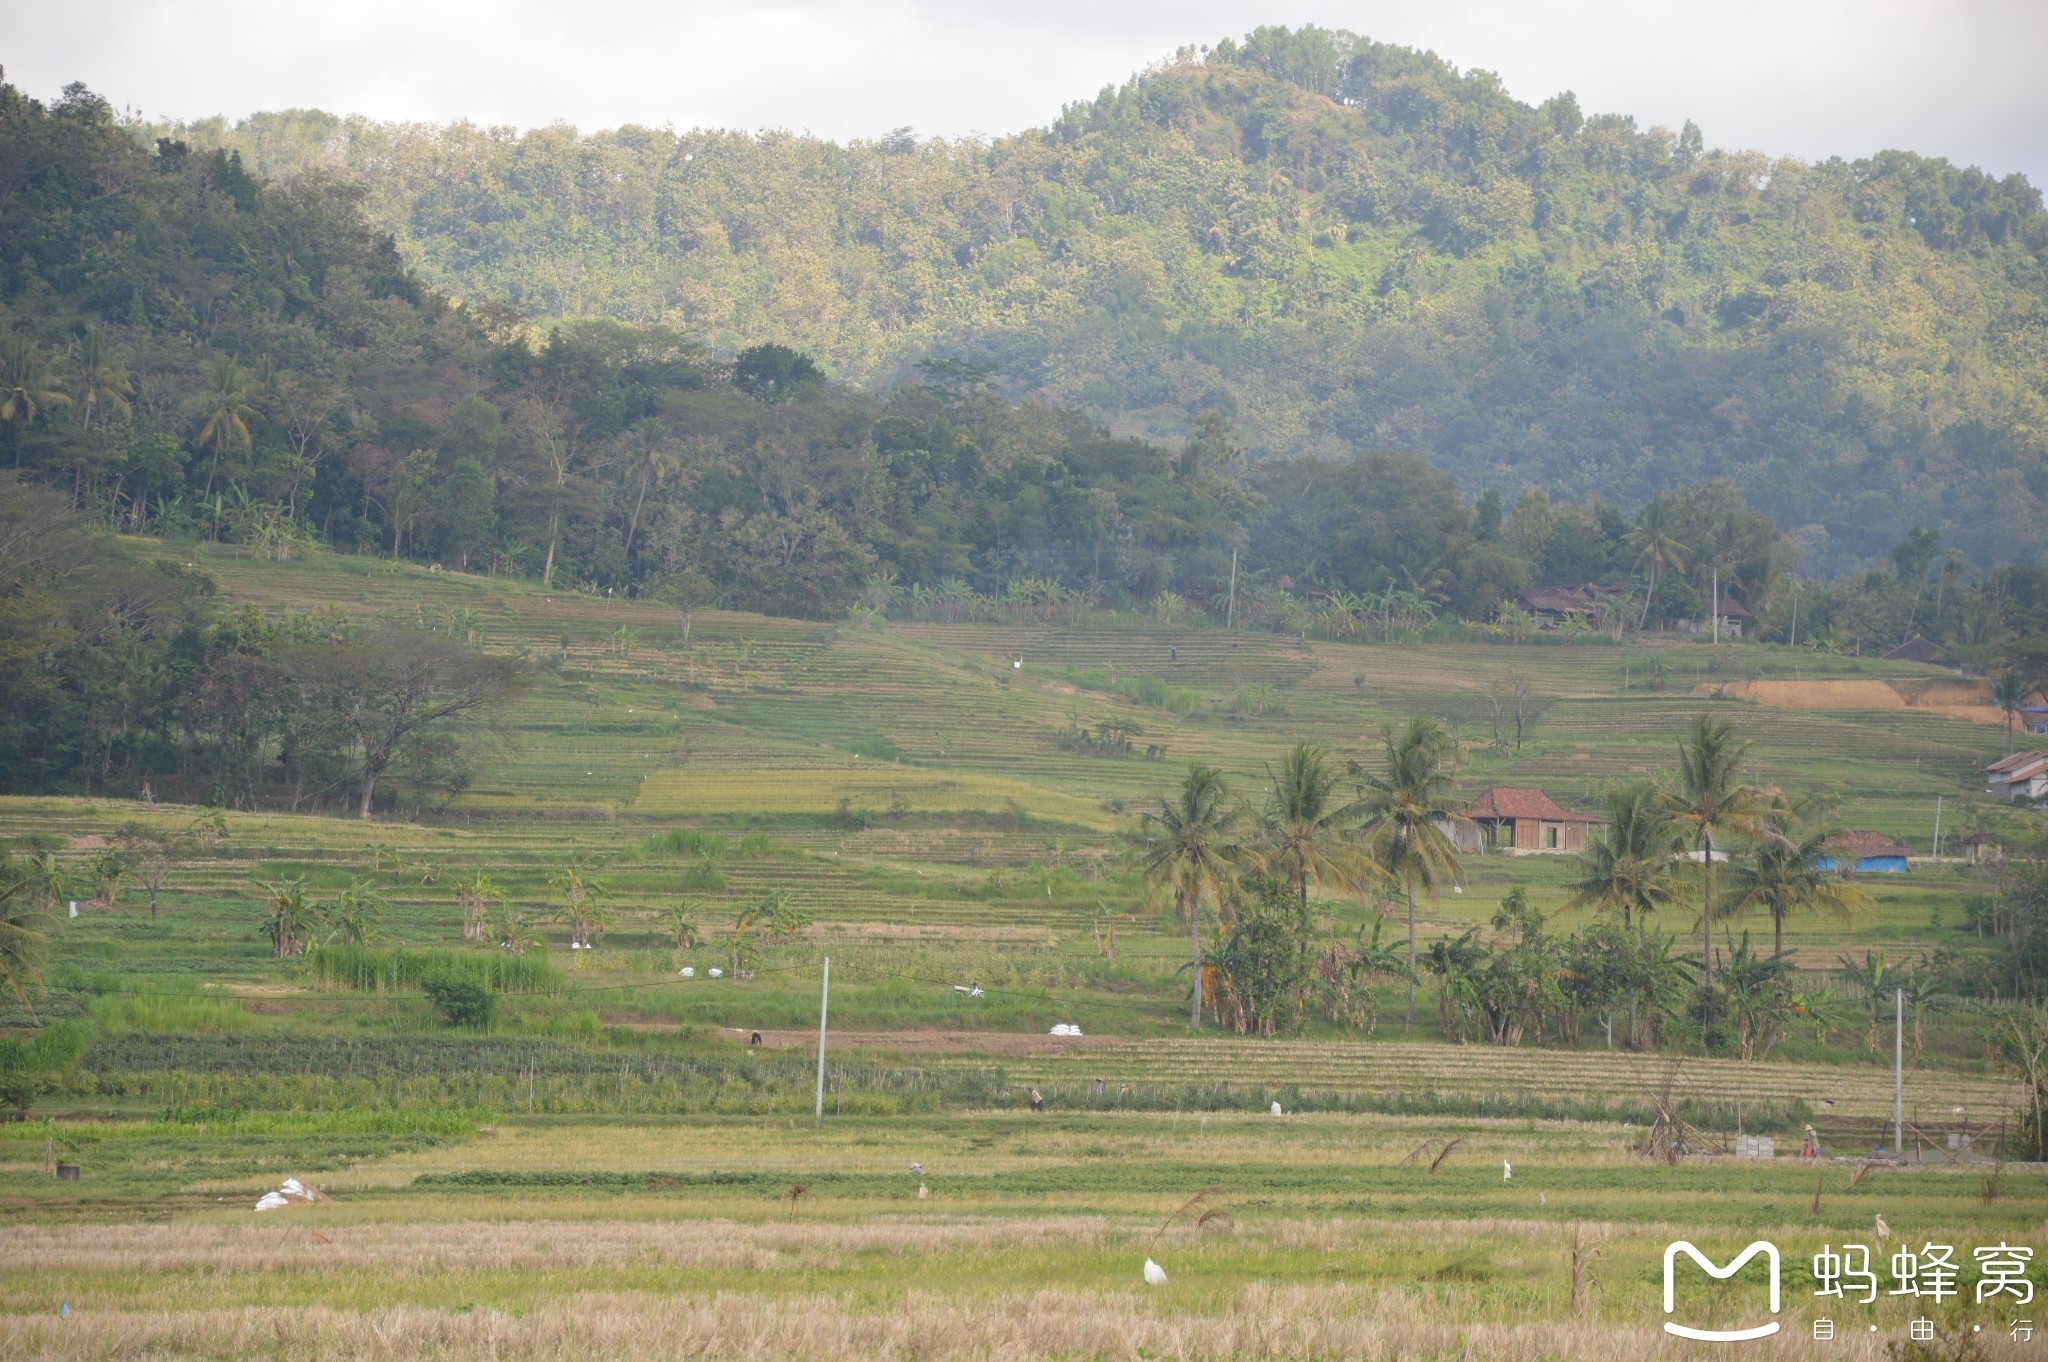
{"type": "Point", "coordinates": [122, 673]}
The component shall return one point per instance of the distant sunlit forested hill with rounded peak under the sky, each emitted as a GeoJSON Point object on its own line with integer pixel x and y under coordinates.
{"type": "Point", "coordinates": [1338, 243]}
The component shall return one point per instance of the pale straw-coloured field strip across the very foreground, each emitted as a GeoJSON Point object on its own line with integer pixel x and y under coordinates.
{"type": "Point", "coordinates": [1322, 1238]}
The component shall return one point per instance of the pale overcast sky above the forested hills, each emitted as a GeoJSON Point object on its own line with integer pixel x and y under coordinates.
{"type": "Point", "coordinates": [1961, 79]}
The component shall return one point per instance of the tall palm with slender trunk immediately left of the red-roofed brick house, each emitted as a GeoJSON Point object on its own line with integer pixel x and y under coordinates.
{"type": "Point", "coordinates": [1406, 808]}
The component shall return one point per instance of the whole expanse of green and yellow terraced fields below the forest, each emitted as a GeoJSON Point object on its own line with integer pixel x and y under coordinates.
{"type": "Point", "coordinates": [607, 1173]}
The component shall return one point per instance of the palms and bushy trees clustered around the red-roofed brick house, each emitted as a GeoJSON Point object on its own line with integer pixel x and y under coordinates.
{"type": "Point", "coordinates": [1711, 845]}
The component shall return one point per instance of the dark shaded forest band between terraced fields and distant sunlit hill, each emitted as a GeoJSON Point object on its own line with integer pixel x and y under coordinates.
{"type": "Point", "coordinates": [194, 351]}
